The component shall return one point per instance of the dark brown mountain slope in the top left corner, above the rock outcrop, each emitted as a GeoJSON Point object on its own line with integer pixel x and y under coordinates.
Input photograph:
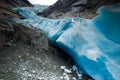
{"type": "Point", "coordinates": [6, 5]}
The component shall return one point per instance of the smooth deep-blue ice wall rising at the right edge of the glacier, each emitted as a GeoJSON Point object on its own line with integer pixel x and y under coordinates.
{"type": "Point", "coordinates": [108, 22]}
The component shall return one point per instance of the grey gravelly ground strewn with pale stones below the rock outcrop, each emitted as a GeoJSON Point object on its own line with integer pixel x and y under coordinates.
{"type": "Point", "coordinates": [23, 62]}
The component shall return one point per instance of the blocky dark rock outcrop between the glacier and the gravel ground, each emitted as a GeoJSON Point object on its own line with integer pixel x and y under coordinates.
{"type": "Point", "coordinates": [17, 32]}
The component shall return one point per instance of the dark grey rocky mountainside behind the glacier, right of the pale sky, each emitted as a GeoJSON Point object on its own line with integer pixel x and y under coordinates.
{"type": "Point", "coordinates": [75, 6]}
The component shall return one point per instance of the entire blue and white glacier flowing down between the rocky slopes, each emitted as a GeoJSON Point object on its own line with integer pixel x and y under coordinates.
{"type": "Point", "coordinates": [94, 44]}
